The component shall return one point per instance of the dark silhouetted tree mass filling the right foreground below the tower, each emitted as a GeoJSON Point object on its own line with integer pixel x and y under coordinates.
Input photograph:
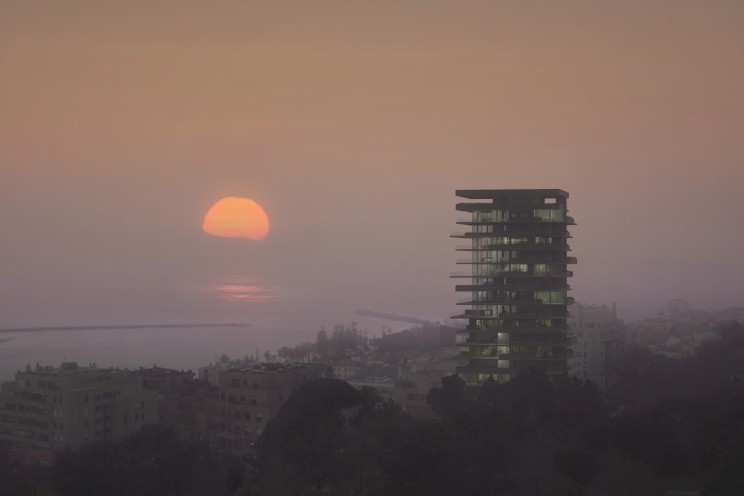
{"type": "Point", "coordinates": [530, 436]}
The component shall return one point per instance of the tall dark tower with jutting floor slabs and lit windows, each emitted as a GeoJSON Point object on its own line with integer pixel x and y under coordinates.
{"type": "Point", "coordinates": [518, 257]}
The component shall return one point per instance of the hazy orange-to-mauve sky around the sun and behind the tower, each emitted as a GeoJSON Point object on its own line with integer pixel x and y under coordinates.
{"type": "Point", "coordinates": [353, 123]}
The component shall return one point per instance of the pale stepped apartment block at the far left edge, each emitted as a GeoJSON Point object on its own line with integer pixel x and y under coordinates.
{"type": "Point", "coordinates": [70, 406]}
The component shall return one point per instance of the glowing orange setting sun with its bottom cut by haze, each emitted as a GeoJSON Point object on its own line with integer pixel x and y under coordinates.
{"type": "Point", "coordinates": [234, 217]}
